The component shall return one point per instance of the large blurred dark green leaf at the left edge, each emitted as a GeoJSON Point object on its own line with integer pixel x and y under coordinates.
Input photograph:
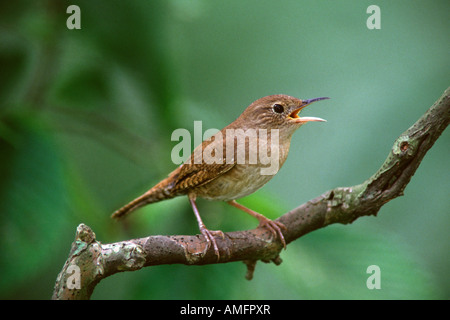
{"type": "Point", "coordinates": [33, 200]}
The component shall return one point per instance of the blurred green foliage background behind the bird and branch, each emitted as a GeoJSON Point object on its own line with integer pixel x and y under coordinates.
{"type": "Point", "coordinates": [86, 118]}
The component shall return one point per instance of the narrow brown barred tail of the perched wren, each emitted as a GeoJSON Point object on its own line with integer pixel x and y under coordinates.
{"type": "Point", "coordinates": [155, 194]}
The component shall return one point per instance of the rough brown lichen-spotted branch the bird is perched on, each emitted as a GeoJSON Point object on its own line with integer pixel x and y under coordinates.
{"type": "Point", "coordinates": [95, 261]}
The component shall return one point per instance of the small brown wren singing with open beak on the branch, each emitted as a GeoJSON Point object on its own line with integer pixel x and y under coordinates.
{"type": "Point", "coordinates": [235, 162]}
